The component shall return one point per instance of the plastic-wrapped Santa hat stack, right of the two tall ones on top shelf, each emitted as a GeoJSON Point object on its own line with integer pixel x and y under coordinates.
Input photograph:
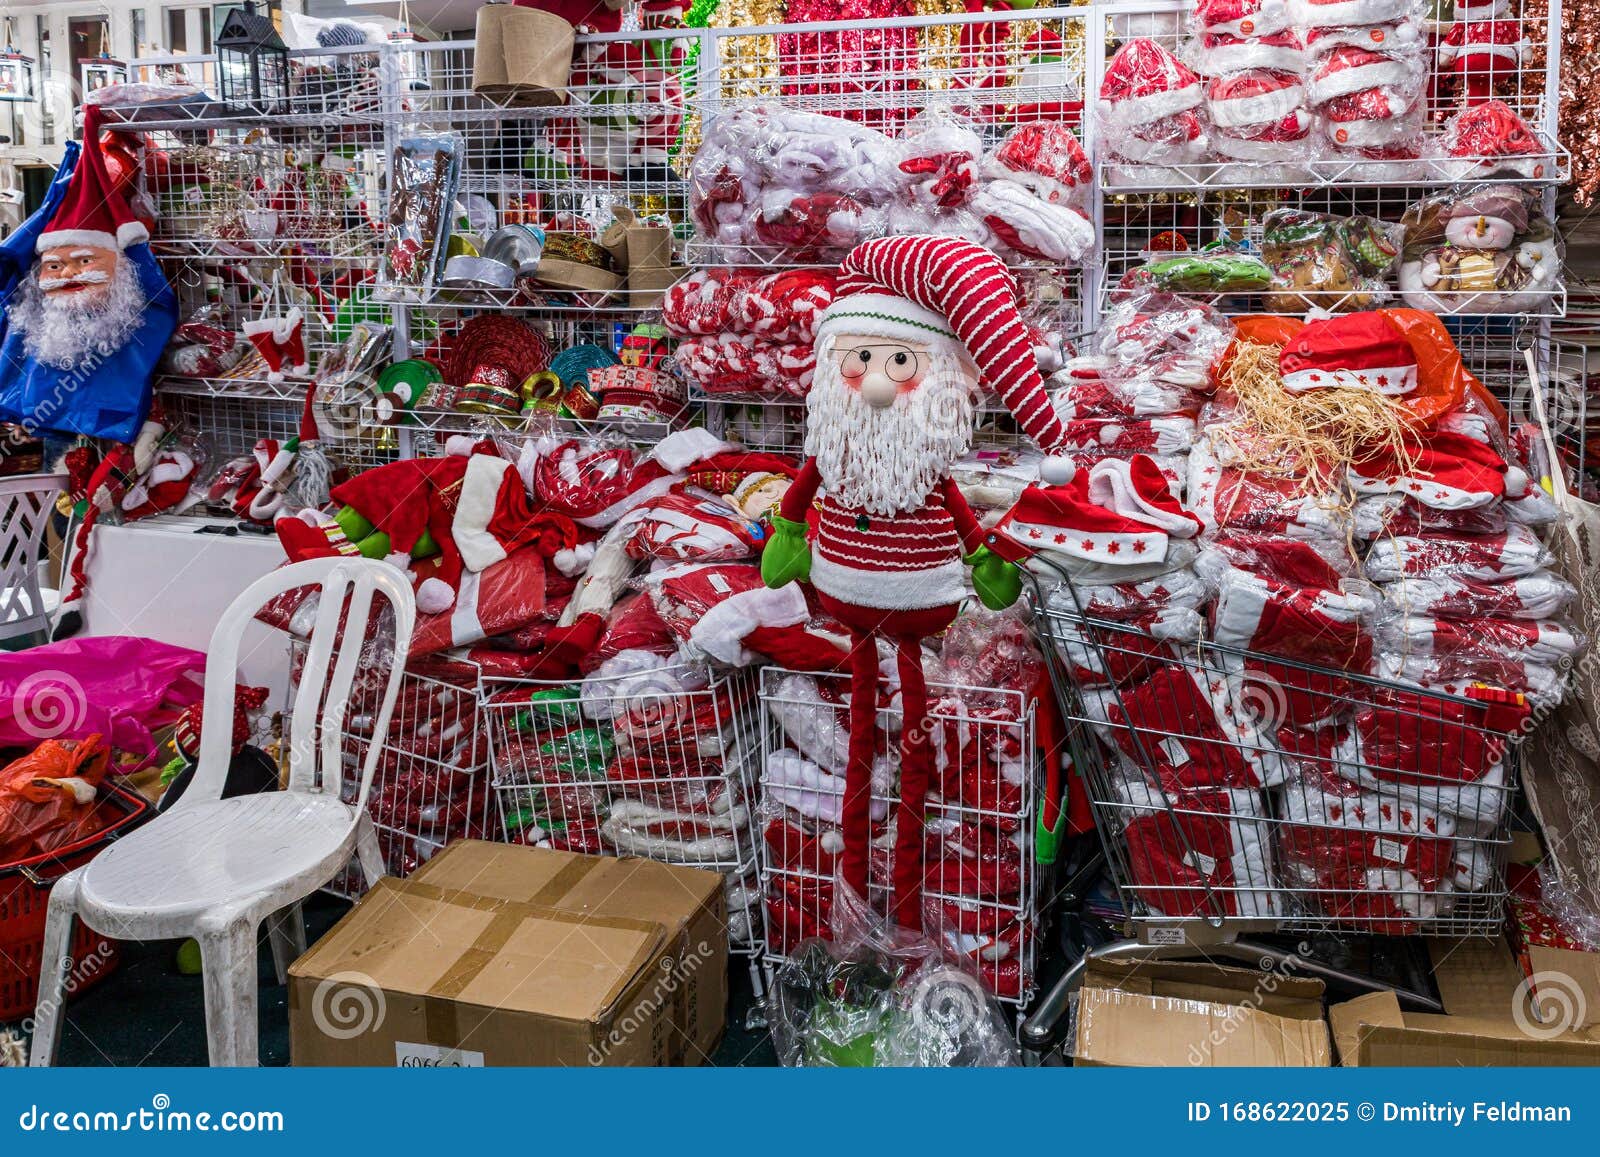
{"type": "Point", "coordinates": [1366, 74]}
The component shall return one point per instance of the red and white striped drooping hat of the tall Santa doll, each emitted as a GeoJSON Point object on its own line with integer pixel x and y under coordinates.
{"type": "Point", "coordinates": [958, 298]}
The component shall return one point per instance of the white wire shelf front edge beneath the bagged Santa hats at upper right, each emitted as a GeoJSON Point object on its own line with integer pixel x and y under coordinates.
{"type": "Point", "coordinates": [1553, 166]}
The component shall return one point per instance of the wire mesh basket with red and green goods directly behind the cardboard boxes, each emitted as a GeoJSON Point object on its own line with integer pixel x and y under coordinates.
{"type": "Point", "coordinates": [655, 764]}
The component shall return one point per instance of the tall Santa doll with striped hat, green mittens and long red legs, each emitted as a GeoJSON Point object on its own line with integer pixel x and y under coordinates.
{"type": "Point", "coordinates": [918, 326]}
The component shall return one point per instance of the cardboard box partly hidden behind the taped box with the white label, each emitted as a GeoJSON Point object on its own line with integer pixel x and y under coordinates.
{"type": "Point", "coordinates": [689, 902]}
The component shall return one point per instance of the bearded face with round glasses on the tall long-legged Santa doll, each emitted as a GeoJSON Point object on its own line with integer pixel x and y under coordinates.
{"type": "Point", "coordinates": [887, 420]}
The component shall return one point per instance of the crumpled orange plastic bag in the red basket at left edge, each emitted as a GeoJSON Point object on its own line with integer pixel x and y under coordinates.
{"type": "Point", "coordinates": [50, 798]}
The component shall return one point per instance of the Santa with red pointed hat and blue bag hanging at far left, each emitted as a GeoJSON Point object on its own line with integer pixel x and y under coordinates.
{"type": "Point", "coordinates": [89, 311]}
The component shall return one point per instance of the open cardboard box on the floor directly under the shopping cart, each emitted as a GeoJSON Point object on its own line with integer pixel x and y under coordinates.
{"type": "Point", "coordinates": [1166, 1014]}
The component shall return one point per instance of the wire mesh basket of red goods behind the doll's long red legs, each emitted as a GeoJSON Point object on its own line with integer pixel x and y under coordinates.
{"type": "Point", "coordinates": [980, 870]}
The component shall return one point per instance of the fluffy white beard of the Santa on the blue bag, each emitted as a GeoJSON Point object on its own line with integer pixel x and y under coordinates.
{"type": "Point", "coordinates": [68, 330]}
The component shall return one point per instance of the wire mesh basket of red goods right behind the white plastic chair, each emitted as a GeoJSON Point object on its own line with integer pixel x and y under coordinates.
{"type": "Point", "coordinates": [433, 783]}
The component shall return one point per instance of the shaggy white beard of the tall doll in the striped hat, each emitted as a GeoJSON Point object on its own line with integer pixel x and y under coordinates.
{"type": "Point", "coordinates": [889, 460]}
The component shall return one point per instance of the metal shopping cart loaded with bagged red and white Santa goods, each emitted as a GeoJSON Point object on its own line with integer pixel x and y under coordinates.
{"type": "Point", "coordinates": [1241, 793]}
